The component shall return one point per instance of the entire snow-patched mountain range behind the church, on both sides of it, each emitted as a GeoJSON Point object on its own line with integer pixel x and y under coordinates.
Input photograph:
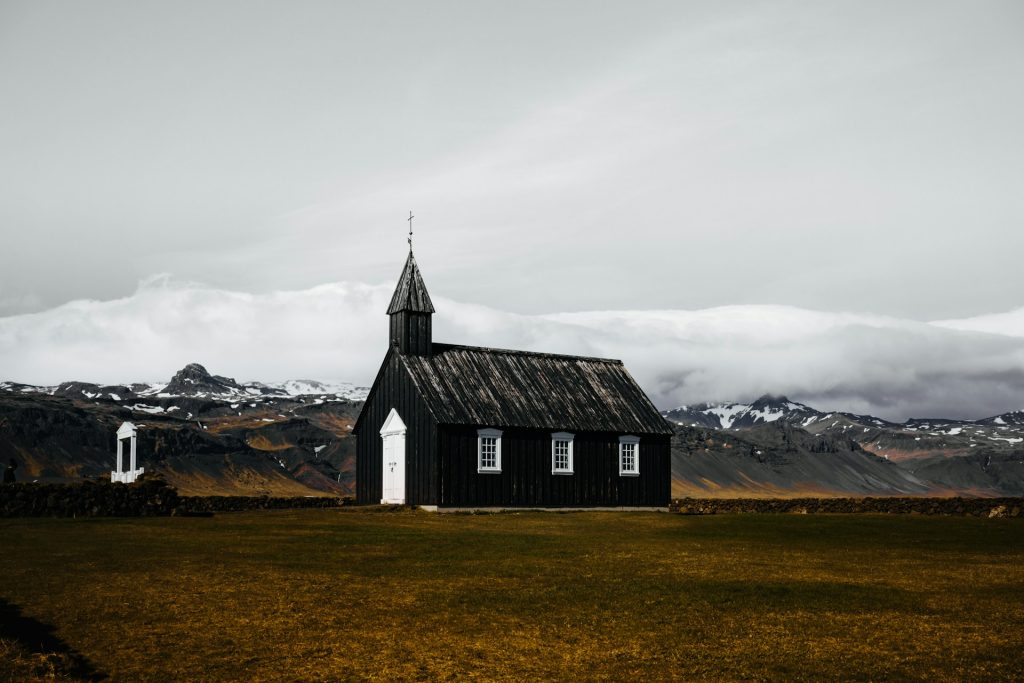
{"type": "Point", "coordinates": [210, 435]}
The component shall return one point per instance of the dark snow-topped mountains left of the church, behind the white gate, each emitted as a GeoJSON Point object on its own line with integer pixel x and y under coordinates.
{"type": "Point", "coordinates": [206, 435]}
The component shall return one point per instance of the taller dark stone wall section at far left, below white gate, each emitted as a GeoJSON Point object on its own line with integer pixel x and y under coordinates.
{"type": "Point", "coordinates": [90, 499]}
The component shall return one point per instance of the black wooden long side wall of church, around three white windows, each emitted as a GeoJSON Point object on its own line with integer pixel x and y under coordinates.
{"type": "Point", "coordinates": [527, 481]}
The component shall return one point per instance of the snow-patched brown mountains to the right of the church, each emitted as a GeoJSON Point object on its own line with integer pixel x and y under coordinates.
{"type": "Point", "coordinates": [776, 447]}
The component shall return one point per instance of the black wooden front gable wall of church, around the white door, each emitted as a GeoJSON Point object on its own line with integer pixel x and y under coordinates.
{"type": "Point", "coordinates": [394, 389]}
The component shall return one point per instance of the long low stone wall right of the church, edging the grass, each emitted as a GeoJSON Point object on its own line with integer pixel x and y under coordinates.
{"type": "Point", "coordinates": [974, 507]}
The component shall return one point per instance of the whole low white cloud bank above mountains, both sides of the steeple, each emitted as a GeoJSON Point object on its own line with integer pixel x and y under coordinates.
{"type": "Point", "coordinates": [868, 364]}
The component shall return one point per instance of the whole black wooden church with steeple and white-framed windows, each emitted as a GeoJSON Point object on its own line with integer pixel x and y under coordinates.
{"type": "Point", "coordinates": [448, 426]}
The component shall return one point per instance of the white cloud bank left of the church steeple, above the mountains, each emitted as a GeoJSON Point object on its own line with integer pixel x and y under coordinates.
{"type": "Point", "coordinates": [327, 331]}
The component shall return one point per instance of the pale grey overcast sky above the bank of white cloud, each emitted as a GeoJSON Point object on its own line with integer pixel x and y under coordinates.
{"type": "Point", "coordinates": [854, 157]}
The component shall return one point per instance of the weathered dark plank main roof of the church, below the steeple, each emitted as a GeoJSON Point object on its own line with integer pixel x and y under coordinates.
{"type": "Point", "coordinates": [467, 386]}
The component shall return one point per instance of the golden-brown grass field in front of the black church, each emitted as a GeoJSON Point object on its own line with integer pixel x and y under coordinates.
{"type": "Point", "coordinates": [334, 594]}
